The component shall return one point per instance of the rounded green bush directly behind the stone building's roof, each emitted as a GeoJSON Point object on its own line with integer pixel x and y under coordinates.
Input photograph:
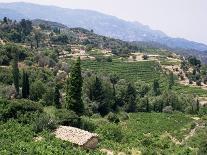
{"type": "Point", "coordinates": [67, 118]}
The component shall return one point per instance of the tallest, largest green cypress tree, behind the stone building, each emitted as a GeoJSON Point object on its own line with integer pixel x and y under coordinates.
{"type": "Point", "coordinates": [74, 89]}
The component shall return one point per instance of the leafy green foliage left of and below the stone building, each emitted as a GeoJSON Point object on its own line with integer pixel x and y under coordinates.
{"type": "Point", "coordinates": [20, 139]}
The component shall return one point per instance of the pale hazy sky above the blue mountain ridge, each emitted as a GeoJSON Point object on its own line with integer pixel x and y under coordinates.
{"type": "Point", "coordinates": [177, 18]}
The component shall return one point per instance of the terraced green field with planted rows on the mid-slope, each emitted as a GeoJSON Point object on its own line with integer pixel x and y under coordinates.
{"type": "Point", "coordinates": [144, 71]}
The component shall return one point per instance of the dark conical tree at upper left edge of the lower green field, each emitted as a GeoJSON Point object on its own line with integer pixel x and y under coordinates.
{"type": "Point", "coordinates": [130, 99]}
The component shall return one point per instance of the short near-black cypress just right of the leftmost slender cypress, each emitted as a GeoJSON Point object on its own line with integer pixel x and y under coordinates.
{"type": "Point", "coordinates": [25, 85]}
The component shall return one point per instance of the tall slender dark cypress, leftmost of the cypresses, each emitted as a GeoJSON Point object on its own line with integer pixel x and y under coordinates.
{"type": "Point", "coordinates": [15, 68]}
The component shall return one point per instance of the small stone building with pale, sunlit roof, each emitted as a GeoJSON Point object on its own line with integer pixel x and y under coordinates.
{"type": "Point", "coordinates": [77, 136]}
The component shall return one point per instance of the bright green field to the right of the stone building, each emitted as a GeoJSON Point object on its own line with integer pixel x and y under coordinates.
{"type": "Point", "coordinates": [146, 132]}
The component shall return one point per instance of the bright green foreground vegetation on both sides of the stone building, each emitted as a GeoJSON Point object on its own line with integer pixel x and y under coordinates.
{"type": "Point", "coordinates": [145, 132]}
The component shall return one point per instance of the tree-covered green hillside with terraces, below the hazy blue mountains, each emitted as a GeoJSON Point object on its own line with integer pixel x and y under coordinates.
{"type": "Point", "coordinates": [138, 97]}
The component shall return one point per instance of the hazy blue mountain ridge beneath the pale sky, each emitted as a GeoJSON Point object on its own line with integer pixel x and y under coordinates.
{"type": "Point", "coordinates": [101, 23]}
